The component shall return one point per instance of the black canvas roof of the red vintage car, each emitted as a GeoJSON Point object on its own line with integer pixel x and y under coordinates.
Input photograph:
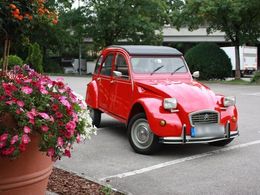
{"type": "Point", "coordinates": [149, 50]}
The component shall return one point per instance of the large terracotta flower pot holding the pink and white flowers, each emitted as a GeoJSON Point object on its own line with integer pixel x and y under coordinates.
{"type": "Point", "coordinates": [26, 175]}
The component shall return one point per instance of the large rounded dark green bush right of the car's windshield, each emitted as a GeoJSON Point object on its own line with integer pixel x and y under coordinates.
{"type": "Point", "coordinates": [210, 60]}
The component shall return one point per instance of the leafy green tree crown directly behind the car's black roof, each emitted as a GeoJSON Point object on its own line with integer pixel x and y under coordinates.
{"type": "Point", "coordinates": [135, 21]}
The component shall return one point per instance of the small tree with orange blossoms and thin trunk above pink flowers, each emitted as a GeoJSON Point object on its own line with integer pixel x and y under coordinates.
{"type": "Point", "coordinates": [16, 17]}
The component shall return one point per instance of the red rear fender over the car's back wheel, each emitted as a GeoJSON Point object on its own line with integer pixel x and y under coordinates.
{"type": "Point", "coordinates": [92, 94]}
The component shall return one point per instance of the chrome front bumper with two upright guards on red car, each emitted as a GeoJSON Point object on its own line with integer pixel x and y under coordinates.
{"type": "Point", "coordinates": [187, 139]}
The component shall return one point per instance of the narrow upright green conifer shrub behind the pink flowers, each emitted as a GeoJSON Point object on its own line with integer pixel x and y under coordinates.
{"type": "Point", "coordinates": [35, 57]}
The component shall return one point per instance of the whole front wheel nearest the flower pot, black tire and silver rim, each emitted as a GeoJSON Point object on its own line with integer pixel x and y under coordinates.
{"type": "Point", "coordinates": [140, 136]}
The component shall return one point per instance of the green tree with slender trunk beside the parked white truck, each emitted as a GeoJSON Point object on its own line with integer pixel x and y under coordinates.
{"type": "Point", "coordinates": [239, 19]}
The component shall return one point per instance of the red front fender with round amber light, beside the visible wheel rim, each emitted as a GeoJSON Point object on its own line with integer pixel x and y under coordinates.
{"type": "Point", "coordinates": [155, 113]}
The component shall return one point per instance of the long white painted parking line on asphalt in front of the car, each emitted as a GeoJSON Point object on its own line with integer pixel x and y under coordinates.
{"type": "Point", "coordinates": [178, 161]}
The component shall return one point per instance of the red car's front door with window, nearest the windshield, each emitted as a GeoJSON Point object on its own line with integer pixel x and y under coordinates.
{"type": "Point", "coordinates": [121, 89]}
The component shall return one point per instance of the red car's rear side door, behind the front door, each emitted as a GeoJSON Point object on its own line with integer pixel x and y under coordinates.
{"type": "Point", "coordinates": [104, 82]}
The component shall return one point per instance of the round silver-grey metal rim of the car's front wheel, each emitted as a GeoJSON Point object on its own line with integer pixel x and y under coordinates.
{"type": "Point", "coordinates": [141, 134]}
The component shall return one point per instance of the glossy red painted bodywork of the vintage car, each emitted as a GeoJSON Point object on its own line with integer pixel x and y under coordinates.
{"type": "Point", "coordinates": [122, 98]}
